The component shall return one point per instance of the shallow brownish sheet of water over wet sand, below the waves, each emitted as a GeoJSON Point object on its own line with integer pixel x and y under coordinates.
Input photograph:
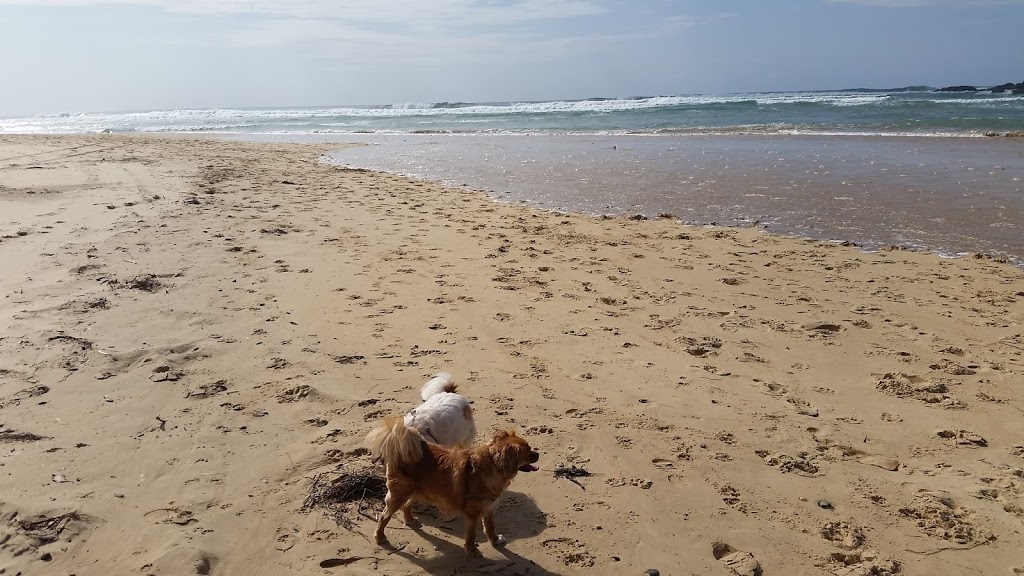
{"type": "Point", "coordinates": [946, 195]}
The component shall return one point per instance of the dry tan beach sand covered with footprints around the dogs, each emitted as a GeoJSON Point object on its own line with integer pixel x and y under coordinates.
{"type": "Point", "coordinates": [195, 331]}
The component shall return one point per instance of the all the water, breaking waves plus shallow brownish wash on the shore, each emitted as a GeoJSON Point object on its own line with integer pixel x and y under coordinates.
{"type": "Point", "coordinates": [908, 168]}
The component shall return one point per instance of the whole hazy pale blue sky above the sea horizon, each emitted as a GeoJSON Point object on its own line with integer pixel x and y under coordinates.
{"type": "Point", "coordinates": [79, 56]}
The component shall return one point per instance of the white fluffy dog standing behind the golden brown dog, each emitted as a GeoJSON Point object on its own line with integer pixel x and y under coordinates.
{"type": "Point", "coordinates": [445, 418]}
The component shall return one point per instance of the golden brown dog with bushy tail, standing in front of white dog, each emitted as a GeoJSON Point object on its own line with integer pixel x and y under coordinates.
{"type": "Point", "coordinates": [465, 481]}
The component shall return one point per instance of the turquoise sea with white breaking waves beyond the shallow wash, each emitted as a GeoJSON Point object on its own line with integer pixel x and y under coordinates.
{"type": "Point", "coordinates": [901, 112]}
